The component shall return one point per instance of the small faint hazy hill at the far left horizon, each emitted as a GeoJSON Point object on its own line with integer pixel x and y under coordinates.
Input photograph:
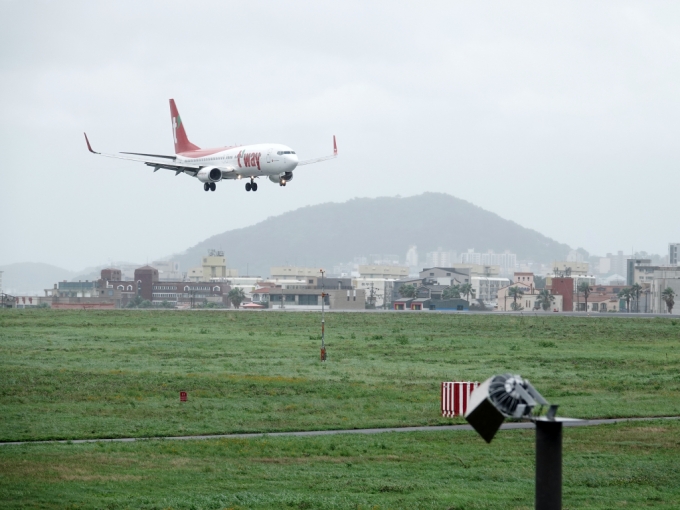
{"type": "Point", "coordinates": [32, 277]}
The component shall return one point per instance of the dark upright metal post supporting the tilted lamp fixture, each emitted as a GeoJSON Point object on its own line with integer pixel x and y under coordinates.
{"type": "Point", "coordinates": [548, 465]}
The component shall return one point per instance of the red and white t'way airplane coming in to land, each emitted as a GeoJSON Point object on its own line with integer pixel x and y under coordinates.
{"type": "Point", "coordinates": [211, 166]}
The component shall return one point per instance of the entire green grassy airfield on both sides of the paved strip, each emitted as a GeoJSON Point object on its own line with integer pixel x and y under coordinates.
{"type": "Point", "coordinates": [92, 374]}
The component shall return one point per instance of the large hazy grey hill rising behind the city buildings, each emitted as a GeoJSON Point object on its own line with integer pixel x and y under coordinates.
{"type": "Point", "coordinates": [327, 234]}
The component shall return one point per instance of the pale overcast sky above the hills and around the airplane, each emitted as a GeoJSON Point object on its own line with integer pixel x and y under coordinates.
{"type": "Point", "coordinates": [561, 116]}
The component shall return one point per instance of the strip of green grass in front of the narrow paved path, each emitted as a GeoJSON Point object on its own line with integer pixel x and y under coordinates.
{"type": "Point", "coordinates": [631, 465]}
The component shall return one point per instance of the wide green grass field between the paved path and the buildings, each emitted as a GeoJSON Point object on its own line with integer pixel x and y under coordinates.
{"type": "Point", "coordinates": [114, 374]}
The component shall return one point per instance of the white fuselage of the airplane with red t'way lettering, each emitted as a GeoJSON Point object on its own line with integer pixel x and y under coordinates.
{"type": "Point", "coordinates": [249, 161]}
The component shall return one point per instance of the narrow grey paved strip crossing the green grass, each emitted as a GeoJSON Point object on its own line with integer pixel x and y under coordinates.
{"type": "Point", "coordinates": [439, 428]}
